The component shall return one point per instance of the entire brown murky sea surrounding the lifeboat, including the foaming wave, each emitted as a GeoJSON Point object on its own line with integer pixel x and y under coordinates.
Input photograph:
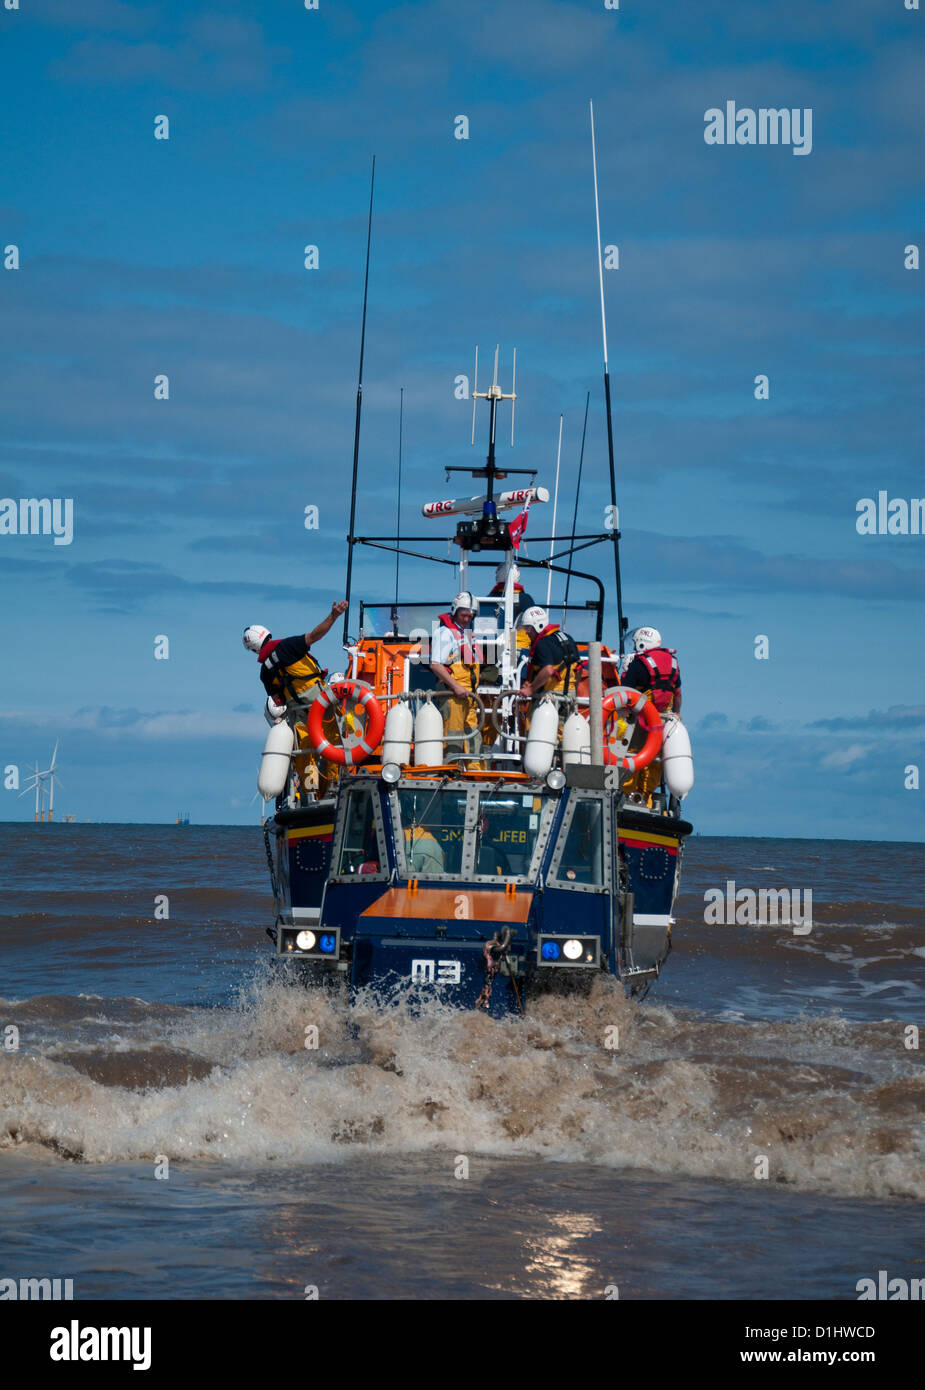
{"type": "Point", "coordinates": [446, 1154]}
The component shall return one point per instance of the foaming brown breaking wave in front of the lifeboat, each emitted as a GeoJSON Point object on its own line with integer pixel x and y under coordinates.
{"type": "Point", "coordinates": [834, 1106]}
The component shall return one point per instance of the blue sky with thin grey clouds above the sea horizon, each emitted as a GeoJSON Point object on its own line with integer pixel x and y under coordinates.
{"type": "Point", "coordinates": [184, 256]}
